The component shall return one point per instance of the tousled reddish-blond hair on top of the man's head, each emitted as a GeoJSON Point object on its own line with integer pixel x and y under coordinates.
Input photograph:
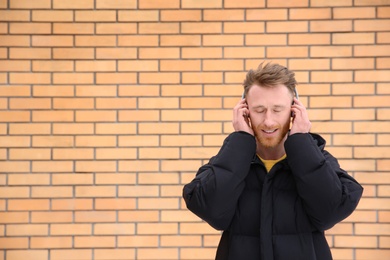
{"type": "Point", "coordinates": [270, 75]}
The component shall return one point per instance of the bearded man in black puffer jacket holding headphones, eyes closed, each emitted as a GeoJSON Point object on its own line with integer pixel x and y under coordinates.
{"type": "Point", "coordinates": [272, 188]}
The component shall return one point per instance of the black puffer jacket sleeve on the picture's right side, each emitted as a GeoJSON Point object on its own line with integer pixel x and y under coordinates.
{"type": "Point", "coordinates": [329, 194]}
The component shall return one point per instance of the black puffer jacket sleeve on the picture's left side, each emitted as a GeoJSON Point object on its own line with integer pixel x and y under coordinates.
{"type": "Point", "coordinates": [214, 192]}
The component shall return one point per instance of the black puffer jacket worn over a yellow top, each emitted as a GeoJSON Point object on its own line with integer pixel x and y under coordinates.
{"type": "Point", "coordinates": [280, 215]}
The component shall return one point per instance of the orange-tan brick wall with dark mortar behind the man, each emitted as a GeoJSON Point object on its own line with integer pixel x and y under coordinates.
{"type": "Point", "coordinates": [107, 107]}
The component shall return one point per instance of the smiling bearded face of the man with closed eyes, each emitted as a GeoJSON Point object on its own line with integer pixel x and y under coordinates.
{"type": "Point", "coordinates": [270, 114]}
